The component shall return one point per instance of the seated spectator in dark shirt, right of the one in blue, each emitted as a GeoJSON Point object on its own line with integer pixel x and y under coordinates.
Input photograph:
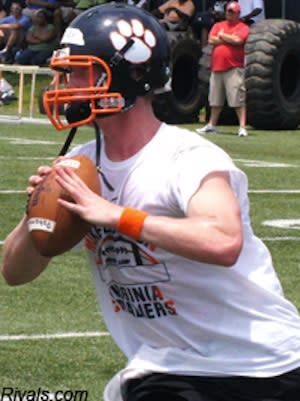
{"type": "Point", "coordinates": [41, 40]}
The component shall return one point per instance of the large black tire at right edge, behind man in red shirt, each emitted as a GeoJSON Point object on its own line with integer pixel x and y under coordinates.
{"type": "Point", "coordinates": [272, 75]}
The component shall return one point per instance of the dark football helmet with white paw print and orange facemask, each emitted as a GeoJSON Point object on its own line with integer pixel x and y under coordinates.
{"type": "Point", "coordinates": [125, 53]}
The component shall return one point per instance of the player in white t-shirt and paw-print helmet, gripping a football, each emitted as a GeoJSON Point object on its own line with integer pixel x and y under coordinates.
{"type": "Point", "coordinates": [187, 290]}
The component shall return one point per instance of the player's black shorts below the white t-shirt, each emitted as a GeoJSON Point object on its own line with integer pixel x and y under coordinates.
{"type": "Point", "coordinates": [165, 387]}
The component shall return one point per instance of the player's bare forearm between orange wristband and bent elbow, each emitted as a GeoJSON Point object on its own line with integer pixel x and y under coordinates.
{"type": "Point", "coordinates": [194, 238]}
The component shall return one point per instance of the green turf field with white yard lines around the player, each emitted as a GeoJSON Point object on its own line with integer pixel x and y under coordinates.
{"type": "Point", "coordinates": [52, 336]}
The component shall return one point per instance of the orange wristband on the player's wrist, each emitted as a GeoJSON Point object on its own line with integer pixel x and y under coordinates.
{"type": "Point", "coordinates": [131, 222]}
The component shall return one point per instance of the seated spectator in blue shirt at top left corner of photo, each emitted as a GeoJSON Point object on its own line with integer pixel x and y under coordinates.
{"type": "Point", "coordinates": [13, 29]}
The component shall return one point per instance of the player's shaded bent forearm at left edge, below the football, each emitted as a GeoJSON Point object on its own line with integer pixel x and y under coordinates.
{"type": "Point", "coordinates": [21, 262]}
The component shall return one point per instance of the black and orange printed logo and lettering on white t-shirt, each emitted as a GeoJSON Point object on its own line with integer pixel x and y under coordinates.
{"type": "Point", "coordinates": [132, 273]}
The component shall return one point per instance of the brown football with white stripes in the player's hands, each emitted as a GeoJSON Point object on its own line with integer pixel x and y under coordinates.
{"type": "Point", "coordinates": [53, 228]}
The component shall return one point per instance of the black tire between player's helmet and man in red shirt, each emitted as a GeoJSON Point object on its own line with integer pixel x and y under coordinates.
{"type": "Point", "coordinates": [183, 103]}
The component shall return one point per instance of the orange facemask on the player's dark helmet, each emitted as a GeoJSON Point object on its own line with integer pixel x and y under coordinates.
{"type": "Point", "coordinates": [92, 91]}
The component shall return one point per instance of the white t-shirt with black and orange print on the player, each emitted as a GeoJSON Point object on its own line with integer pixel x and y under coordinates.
{"type": "Point", "coordinates": [171, 314]}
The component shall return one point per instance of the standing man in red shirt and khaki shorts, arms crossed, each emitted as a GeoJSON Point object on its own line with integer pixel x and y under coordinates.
{"type": "Point", "coordinates": [227, 65]}
